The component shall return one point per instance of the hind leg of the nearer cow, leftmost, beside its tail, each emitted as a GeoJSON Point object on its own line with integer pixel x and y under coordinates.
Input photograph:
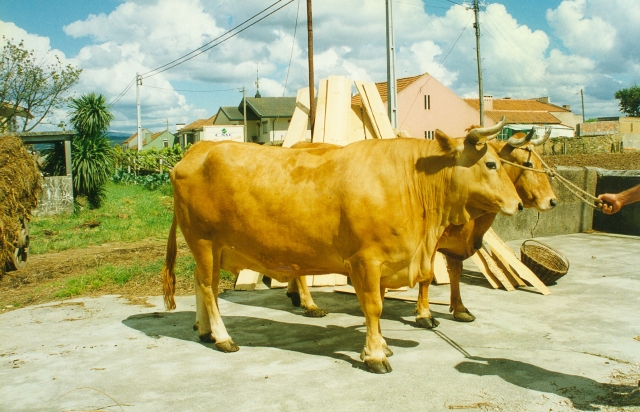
{"type": "Point", "coordinates": [207, 276]}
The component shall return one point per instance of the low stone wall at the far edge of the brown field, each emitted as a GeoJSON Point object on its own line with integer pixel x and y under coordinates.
{"type": "Point", "coordinates": [583, 145]}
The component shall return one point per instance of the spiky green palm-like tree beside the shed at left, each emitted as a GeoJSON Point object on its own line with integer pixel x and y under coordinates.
{"type": "Point", "coordinates": [92, 156]}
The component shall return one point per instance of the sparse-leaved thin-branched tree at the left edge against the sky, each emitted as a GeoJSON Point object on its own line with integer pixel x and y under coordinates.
{"type": "Point", "coordinates": [30, 87]}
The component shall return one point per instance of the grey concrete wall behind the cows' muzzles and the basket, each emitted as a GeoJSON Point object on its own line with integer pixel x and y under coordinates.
{"type": "Point", "coordinates": [570, 215]}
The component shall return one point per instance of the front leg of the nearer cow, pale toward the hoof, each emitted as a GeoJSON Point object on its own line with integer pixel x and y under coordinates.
{"type": "Point", "coordinates": [365, 278]}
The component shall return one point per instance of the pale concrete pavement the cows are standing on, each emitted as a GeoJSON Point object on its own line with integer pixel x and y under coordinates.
{"type": "Point", "coordinates": [576, 349]}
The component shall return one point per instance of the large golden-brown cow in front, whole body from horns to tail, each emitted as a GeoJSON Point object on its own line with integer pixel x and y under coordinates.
{"type": "Point", "coordinates": [373, 210]}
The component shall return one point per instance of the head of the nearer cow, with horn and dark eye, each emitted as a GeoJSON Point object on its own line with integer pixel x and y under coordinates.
{"type": "Point", "coordinates": [478, 179]}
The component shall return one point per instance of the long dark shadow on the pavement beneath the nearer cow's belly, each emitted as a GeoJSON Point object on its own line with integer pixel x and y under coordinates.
{"type": "Point", "coordinates": [327, 341]}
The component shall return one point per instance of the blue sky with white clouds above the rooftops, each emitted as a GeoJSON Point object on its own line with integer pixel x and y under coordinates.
{"type": "Point", "coordinates": [530, 49]}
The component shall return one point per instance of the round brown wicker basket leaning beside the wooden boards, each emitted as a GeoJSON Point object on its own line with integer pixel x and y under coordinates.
{"type": "Point", "coordinates": [547, 263]}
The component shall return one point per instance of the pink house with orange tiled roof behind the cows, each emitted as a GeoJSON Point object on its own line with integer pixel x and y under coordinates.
{"type": "Point", "coordinates": [425, 104]}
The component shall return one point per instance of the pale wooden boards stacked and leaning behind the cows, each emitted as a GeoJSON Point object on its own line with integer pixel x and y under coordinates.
{"type": "Point", "coordinates": [340, 122]}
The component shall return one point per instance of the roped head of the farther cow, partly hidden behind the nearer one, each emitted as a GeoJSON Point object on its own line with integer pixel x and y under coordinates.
{"type": "Point", "coordinates": [533, 187]}
